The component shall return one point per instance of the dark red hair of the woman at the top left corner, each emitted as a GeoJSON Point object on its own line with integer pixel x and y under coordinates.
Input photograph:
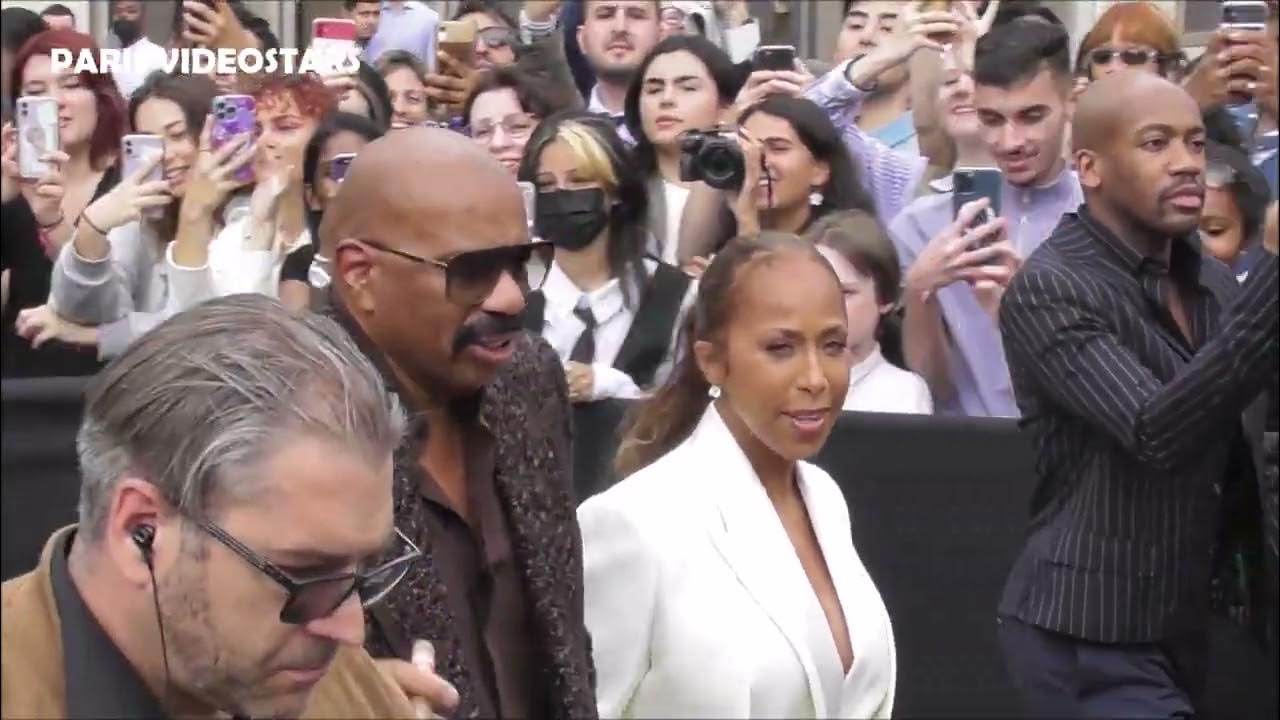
{"type": "Point", "coordinates": [112, 120]}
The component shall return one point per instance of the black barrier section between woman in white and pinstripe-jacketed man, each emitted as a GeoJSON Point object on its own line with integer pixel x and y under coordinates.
{"type": "Point", "coordinates": [939, 508]}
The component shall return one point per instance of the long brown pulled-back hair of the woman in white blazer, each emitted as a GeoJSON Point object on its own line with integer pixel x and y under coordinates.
{"type": "Point", "coordinates": [665, 421]}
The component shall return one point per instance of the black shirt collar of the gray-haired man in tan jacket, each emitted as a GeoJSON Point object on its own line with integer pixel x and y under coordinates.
{"type": "Point", "coordinates": [100, 681]}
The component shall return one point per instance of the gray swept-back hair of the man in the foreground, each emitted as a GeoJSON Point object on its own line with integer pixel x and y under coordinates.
{"type": "Point", "coordinates": [196, 403]}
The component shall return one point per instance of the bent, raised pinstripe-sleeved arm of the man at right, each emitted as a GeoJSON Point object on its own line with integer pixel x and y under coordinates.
{"type": "Point", "coordinates": [1055, 329]}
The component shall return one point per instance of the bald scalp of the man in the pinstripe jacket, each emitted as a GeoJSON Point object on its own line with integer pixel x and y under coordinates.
{"type": "Point", "coordinates": [1114, 104]}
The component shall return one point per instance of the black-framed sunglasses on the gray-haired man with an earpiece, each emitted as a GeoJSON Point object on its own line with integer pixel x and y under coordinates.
{"type": "Point", "coordinates": [319, 598]}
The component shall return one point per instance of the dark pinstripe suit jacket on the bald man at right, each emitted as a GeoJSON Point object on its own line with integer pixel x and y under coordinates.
{"type": "Point", "coordinates": [1133, 429]}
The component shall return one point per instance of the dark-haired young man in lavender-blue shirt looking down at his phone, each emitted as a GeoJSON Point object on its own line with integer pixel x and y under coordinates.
{"type": "Point", "coordinates": [953, 285]}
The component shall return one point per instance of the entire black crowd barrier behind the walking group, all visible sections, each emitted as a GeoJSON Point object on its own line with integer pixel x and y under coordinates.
{"type": "Point", "coordinates": [938, 505]}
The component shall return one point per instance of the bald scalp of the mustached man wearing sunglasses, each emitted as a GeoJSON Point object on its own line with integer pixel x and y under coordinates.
{"type": "Point", "coordinates": [412, 183]}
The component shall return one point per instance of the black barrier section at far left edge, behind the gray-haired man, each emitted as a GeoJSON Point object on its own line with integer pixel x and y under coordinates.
{"type": "Point", "coordinates": [42, 481]}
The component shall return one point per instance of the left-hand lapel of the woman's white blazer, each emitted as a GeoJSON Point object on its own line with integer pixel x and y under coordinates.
{"type": "Point", "coordinates": [747, 532]}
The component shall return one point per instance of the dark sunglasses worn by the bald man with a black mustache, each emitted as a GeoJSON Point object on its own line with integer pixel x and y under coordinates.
{"type": "Point", "coordinates": [470, 277]}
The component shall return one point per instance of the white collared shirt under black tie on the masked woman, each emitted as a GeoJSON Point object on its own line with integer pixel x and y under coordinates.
{"type": "Point", "coordinates": [563, 329]}
